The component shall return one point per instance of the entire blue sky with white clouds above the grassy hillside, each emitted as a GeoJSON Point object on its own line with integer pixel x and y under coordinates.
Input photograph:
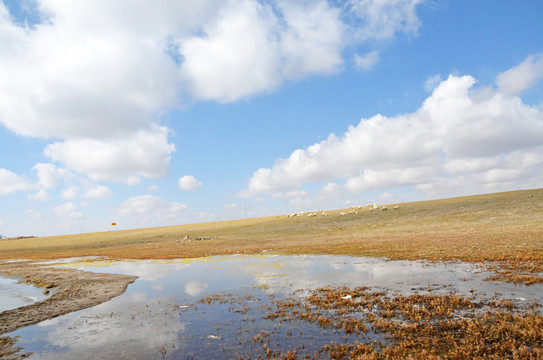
{"type": "Point", "coordinates": [159, 113]}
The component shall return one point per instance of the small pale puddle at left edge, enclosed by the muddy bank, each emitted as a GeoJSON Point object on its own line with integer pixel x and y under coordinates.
{"type": "Point", "coordinates": [14, 295]}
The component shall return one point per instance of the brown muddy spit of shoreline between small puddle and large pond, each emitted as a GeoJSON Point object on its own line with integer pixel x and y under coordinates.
{"type": "Point", "coordinates": [78, 290]}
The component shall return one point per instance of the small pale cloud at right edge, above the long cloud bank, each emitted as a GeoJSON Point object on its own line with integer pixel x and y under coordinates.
{"type": "Point", "coordinates": [522, 76]}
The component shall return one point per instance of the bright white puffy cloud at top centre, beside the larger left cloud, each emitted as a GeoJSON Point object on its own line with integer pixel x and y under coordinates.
{"type": "Point", "coordinates": [250, 49]}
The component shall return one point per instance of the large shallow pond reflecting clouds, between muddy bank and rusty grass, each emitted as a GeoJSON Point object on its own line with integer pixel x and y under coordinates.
{"type": "Point", "coordinates": [160, 315]}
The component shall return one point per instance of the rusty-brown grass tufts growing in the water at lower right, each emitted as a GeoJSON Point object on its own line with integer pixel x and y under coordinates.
{"type": "Point", "coordinates": [419, 326]}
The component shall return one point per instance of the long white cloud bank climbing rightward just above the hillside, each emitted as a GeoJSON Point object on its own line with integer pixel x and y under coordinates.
{"type": "Point", "coordinates": [461, 134]}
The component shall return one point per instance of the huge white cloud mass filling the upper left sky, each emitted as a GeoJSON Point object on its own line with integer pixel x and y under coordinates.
{"type": "Point", "coordinates": [98, 77]}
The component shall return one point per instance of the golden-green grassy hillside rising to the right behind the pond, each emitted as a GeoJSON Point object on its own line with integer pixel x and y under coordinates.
{"type": "Point", "coordinates": [502, 226]}
